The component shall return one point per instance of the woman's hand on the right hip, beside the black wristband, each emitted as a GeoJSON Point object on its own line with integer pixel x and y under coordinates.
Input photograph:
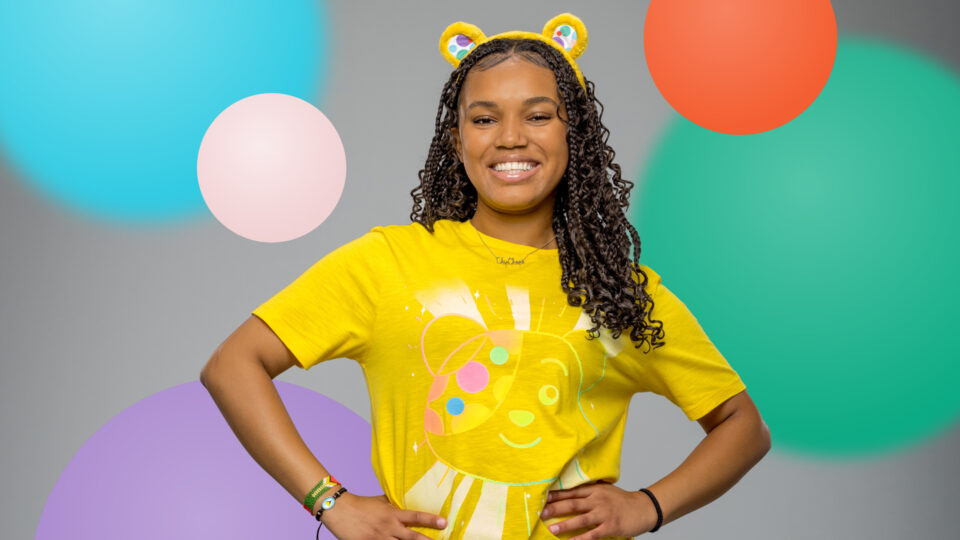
{"type": "Point", "coordinates": [610, 510]}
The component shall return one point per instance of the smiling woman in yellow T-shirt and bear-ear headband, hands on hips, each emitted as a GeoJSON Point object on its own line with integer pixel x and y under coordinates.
{"type": "Point", "coordinates": [502, 333]}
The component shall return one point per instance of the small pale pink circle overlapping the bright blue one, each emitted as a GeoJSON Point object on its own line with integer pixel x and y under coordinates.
{"type": "Point", "coordinates": [271, 167]}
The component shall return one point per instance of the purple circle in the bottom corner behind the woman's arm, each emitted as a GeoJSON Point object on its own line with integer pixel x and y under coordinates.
{"type": "Point", "coordinates": [170, 467]}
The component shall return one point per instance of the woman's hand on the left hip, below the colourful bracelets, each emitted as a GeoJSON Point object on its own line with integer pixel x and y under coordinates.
{"type": "Point", "coordinates": [354, 517]}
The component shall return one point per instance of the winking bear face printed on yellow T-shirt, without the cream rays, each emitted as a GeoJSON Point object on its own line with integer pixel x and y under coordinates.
{"type": "Point", "coordinates": [508, 393]}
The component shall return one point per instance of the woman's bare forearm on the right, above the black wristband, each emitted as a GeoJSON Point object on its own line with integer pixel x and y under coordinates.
{"type": "Point", "coordinates": [721, 459]}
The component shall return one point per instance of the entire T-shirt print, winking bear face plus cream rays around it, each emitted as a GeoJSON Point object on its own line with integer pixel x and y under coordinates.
{"type": "Point", "coordinates": [511, 423]}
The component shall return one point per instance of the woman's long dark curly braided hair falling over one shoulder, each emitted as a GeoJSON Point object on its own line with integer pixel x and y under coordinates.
{"type": "Point", "coordinates": [599, 269]}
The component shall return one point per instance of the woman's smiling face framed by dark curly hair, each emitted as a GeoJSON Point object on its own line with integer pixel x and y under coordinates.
{"type": "Point", "coordinates": [509, 138]}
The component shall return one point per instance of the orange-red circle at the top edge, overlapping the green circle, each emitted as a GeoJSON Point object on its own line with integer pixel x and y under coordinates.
{"type": "Point", "coordinates": [740, 66]}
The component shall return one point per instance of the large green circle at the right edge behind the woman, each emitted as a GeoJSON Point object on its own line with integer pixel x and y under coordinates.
{"type": "Point", "coordinates": [820, 257]}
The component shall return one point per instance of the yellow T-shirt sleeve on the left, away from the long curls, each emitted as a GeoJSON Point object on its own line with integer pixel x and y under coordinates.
{"type": "Point", "coordinates": [328, 312]}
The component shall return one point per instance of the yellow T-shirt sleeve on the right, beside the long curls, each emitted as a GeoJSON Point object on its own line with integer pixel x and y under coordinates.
{"type": "Point", "coordinates": [688, 370]}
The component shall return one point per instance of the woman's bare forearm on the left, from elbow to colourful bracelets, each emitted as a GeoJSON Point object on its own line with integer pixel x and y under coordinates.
{"type": "Point", "coordinates": [248, 400]}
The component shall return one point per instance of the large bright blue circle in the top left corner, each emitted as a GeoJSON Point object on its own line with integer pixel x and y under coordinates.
{"type": "Point", "coordinates": [104, 104]}
